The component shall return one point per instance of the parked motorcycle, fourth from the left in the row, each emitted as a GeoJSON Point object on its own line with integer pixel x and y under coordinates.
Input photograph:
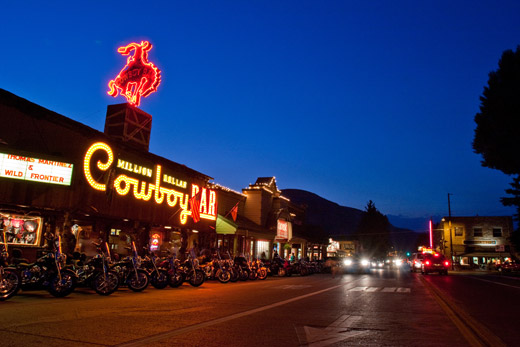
{"type": "Point", "coordinates": [130, 273]}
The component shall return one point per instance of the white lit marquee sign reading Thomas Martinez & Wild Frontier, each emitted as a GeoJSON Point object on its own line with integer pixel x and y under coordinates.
{"type": "Point", "coordinates": [34, 169]}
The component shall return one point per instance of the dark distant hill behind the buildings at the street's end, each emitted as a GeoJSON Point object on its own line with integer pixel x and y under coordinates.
{"type": "Point", "coordinates": [341, 222]}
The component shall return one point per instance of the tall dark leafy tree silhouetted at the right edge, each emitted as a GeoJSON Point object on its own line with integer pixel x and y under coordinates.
{"type": "Point", "coordinates": [497, 135]}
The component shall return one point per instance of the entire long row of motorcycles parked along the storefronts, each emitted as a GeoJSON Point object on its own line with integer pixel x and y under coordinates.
{"type": "Point", "coordinates": [60, 275]}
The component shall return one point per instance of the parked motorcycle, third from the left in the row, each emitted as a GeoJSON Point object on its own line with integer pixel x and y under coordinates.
{"type": "Point", "coordinates": [95, 272]}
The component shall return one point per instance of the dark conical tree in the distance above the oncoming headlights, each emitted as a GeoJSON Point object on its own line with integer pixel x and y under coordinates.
{"type": "Point", "coordinates": [373, 231]}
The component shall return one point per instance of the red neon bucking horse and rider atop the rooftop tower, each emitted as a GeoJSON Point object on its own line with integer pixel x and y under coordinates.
{"type": "Point", "coordinates": [139, 77]}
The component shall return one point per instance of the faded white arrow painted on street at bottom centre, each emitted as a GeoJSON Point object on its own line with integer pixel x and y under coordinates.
{"type": "Point", "coordinates": [337, 331]}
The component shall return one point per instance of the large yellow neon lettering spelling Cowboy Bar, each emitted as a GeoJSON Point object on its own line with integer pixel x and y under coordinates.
{"type": "Point", "coordinates": [147, 191]}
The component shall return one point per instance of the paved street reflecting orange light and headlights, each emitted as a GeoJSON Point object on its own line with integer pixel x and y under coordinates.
{"type": "Point", "coordinates": [383, 308]}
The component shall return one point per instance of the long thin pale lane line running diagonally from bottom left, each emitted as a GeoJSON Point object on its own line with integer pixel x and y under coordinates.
{"type": "Point", "coordinates": [147, 340]}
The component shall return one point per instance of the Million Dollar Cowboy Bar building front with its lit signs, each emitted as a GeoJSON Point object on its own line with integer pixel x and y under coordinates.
{"type": "Point", "coordinates": [60, 176]}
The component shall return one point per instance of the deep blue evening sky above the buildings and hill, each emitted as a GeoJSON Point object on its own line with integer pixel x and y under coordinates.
{"type": "Point", "coordinates": [351, 100]}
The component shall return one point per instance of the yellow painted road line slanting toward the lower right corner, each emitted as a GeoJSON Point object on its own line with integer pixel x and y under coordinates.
{"type": "Point", "coordinates": [475, 333]}
